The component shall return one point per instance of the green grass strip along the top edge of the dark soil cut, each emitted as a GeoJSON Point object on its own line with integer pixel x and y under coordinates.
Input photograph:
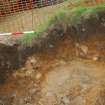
{"type": "Point", "coordinates": [67, 16]}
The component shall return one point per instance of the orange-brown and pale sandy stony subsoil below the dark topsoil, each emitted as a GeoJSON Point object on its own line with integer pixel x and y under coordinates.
{"type": "Point", "coordinates": [66, 74]}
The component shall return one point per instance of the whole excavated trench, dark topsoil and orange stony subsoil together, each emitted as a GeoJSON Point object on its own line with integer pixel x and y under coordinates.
{"type": "Point", "coordinates": [60, 68]}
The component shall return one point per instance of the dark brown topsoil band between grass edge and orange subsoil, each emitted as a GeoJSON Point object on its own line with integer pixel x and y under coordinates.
{"type": "Point", "coordinates": [15, 54]}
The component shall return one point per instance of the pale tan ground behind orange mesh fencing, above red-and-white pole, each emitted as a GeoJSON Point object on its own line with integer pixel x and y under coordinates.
{"type": "Point", "coordinates": [18, 21]}
